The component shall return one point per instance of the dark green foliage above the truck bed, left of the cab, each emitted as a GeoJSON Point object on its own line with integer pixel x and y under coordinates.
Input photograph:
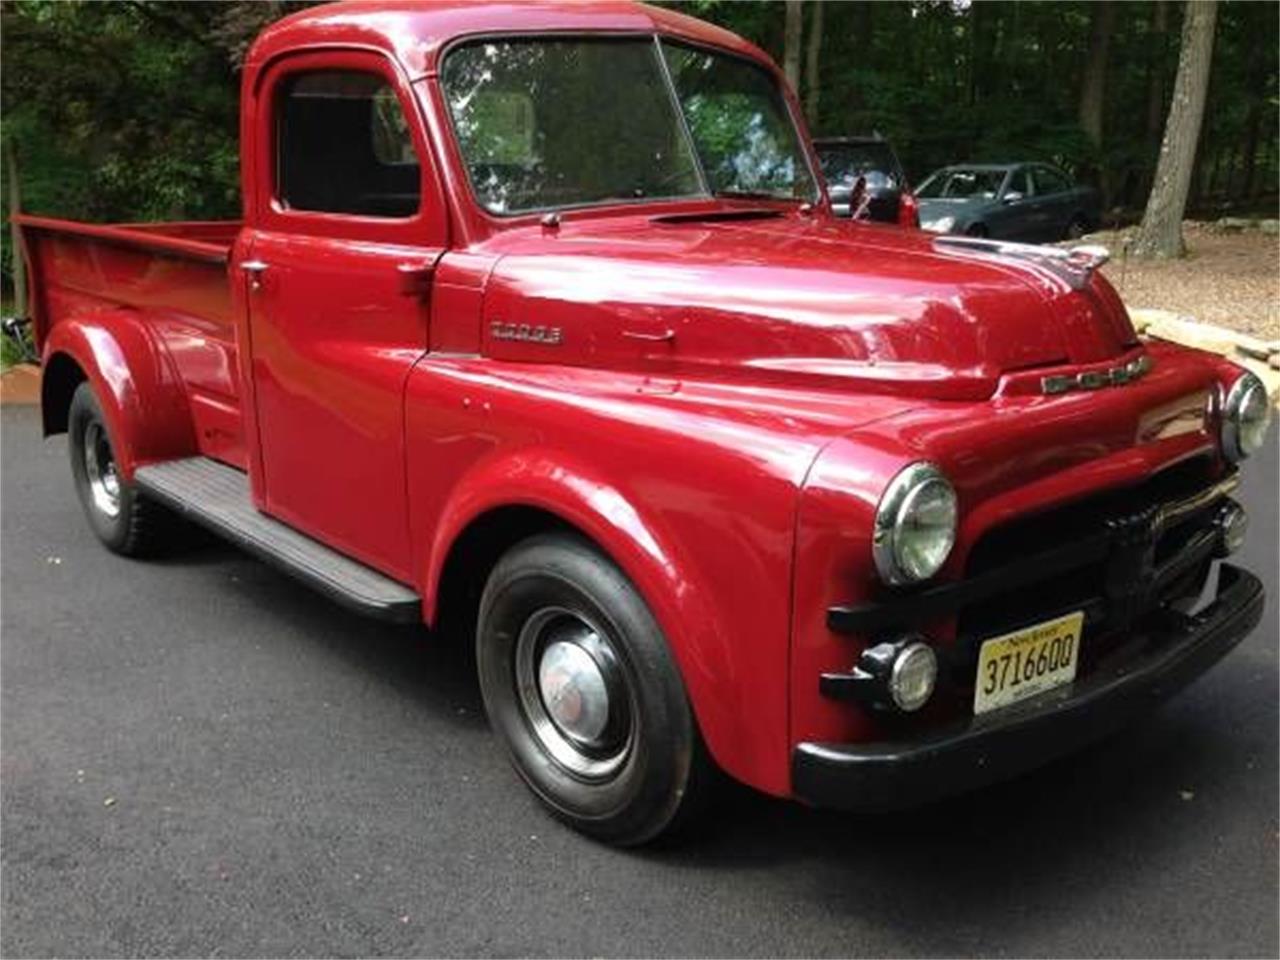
{"type": "Point", "coordinates": [121, 111]}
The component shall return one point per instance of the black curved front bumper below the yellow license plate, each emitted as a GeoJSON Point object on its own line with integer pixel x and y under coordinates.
{"type": "Point", "coordinates": [1003, 744]}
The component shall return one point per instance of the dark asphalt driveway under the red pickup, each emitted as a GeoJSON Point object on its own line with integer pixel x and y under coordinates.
{"type": "Point", "coordinates": [203, 758]}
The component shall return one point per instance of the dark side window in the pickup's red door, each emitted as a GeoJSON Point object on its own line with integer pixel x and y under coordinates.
{"type": "Point", "coordinates": [344, 147]}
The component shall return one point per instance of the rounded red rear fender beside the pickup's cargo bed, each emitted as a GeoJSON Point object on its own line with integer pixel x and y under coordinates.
{"type": "Point", "coordinates": [143, 400]}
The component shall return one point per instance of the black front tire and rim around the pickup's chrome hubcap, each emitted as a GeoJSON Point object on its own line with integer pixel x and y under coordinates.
{"type": "Point", "coordinates": [647, 772]}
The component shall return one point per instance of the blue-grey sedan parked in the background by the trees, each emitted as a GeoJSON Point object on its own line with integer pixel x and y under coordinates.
{"type": "Point", "coordinates": [1030, 203]}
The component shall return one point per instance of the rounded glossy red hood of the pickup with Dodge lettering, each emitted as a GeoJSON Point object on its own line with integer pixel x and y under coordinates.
{"type": "Point", "coordinates": [793, 300]}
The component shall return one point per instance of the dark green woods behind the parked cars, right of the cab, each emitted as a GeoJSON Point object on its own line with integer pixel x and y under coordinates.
{"type": "Point", "coordinates": [950, 81]}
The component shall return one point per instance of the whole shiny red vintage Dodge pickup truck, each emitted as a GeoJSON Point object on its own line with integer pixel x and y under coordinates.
{"type": "Point", "coordinates": [540, 326]}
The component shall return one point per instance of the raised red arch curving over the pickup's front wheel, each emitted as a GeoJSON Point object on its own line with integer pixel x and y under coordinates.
{"type": "Point", "coordinates": [557, 483]}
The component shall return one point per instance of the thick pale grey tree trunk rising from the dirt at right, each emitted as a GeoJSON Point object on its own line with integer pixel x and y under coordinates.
{"type": "Point", "coordinates": [1162, 232]}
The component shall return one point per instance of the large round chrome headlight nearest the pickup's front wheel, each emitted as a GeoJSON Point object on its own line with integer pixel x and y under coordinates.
{"type": "Point", "coordinates": [916, 525]}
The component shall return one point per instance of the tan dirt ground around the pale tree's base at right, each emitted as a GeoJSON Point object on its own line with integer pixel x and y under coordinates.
{"type": "Point", "coordinates": [1232, 280]}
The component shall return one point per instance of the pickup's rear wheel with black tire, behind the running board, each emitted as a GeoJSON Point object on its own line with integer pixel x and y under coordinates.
{"type": "Point", "coordinates": [136, 527]}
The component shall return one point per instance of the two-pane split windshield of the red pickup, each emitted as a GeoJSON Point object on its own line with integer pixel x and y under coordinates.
{"type": "Point", "coordinates": [547, 124]}
